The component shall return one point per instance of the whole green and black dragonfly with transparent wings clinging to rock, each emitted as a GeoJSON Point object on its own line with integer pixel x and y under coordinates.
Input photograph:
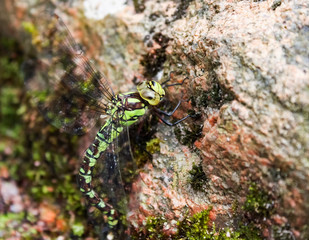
{"type": "Point", "coordinates": [72, 94]}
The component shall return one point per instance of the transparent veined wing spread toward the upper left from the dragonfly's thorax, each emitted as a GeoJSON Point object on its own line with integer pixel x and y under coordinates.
{"type": "Point", "coordinates": [66, 86]}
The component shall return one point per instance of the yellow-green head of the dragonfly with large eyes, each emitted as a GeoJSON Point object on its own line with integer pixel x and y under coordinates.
{"type": "Point", "coordinates": [151, 91]}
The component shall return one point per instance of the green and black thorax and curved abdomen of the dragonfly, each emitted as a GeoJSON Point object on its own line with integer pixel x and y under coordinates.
{"type": "Point", "coordinates": [127, 110]}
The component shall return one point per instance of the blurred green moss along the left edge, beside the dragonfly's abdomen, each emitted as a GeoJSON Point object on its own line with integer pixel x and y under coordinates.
{"type": "Point", "coordinates": [40, 159]}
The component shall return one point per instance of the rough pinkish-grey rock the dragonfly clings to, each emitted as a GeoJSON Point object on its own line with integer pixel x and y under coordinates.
{"type": "Point", "coordinates": [248, 68]}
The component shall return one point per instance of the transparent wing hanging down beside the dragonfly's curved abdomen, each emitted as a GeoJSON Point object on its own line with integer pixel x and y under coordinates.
{"type": "Point", "coordinates": [112, 178]}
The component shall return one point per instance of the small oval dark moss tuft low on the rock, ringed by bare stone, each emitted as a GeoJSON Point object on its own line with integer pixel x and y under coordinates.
{"type": "Point", "coordinates": [197, 178]}
